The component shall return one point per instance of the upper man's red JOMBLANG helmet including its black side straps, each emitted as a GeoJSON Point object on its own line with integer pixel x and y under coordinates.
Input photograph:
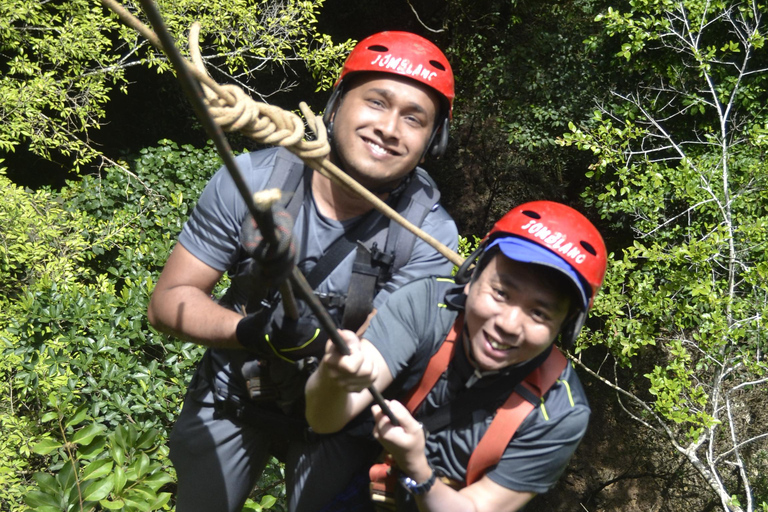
{"type": "Point", "coordinates": [408, 55]}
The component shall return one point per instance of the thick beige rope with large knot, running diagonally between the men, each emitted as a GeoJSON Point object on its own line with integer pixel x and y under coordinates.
{"type": "Point", "coordinates": [234, 110]}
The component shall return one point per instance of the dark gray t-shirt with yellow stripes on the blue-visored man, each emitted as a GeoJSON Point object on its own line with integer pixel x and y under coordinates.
{"type": "Point", "coordinates": [418, 314]}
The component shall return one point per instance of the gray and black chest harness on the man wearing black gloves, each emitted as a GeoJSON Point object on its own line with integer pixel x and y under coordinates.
{"type": "Point", "coordinates": [381, 248]}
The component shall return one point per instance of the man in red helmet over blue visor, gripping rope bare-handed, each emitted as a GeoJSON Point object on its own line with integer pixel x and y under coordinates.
{"type": "Point", "coordinates": [474, 365]}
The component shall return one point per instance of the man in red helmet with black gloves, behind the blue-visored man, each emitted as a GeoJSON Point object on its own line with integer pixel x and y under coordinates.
{"type": "Point", "coordinates": [389, 108]}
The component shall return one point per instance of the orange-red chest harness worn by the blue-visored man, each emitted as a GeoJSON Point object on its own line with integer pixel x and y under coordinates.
{"type": "Point", "coordinates": [509, 416]}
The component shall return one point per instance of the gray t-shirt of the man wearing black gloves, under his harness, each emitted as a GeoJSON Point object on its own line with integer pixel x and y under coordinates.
{"type": "Point", "coordinates": [212, 234]}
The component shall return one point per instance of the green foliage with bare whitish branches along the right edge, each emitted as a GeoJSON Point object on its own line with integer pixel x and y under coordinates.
{"type": "Point", "coordinates": [679, 164]}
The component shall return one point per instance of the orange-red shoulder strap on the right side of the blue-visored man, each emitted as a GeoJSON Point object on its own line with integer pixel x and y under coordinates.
{"type": "Point", "coordinates": [511, 414]}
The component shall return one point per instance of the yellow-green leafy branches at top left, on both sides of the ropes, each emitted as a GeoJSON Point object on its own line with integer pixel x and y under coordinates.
{"type": "Point", "coordinates": [62, 61]}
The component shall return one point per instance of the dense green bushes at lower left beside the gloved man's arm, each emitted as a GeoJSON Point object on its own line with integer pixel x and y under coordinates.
{"type": "Point", "coordinates": [86, 381]}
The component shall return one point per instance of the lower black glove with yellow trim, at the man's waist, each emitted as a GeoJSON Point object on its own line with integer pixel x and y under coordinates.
{"type": "Point", "coordinates": [271, 333]}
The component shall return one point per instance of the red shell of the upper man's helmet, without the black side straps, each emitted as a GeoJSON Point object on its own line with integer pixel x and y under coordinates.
{"type": "Point", "coordinates": [405, 54]}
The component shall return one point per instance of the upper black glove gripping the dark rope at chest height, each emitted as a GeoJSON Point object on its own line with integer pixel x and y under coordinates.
{"type": "Point", "coordinates": [271, 264]}
